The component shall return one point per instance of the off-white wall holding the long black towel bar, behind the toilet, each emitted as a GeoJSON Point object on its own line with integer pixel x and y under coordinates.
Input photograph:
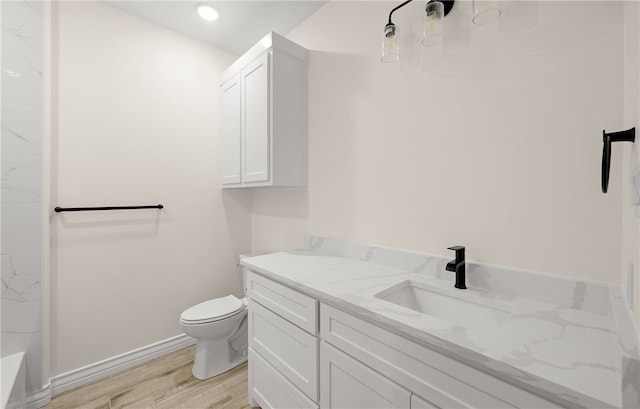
{"type": "Point", "coordinates": [137, 123]}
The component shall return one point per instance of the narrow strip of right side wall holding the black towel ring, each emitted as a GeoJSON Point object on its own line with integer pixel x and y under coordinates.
{"type": "Point", "coordinates": [631, 152]}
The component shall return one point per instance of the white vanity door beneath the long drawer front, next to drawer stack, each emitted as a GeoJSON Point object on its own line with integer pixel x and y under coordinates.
{"type": "Point", "coordinates": [348, 384]}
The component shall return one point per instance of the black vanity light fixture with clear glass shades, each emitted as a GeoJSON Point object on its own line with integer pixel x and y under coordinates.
{"type": "Point", "coordinates": [484, 11]}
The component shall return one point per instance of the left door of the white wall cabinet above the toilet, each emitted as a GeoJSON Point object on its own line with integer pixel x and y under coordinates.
{"type": "Point", "coordinates": [231, 132]}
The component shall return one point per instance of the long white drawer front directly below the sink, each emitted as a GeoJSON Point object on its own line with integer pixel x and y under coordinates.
{"type": "Point", "coordinates": [443, 381]}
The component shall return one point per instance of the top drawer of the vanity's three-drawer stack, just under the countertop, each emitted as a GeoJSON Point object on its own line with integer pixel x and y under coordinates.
{"type": "Point", "coordinates": [289, 304]}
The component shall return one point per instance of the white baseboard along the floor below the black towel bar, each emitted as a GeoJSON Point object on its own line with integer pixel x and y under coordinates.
{"type": "Point", "coordinates": [100, 370]}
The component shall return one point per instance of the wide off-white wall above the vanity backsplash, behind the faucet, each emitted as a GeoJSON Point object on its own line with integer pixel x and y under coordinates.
{"type": "Point", "coordinates": [500, 152]}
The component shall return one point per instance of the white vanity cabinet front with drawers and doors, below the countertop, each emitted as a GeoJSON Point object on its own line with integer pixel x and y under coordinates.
{"type": "Point", "coordinates": [303, 354]}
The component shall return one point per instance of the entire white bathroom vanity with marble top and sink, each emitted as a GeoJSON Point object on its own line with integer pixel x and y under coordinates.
{"type": "Point", "coordinates": [343, 325]}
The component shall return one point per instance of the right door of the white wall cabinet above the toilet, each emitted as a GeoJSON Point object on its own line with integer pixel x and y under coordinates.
{"type": "Point", "coordinates": [256, 101]}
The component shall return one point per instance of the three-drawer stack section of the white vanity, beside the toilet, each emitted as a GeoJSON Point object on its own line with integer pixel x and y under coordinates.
{"type": "Point", "coordinates": [283, 345]}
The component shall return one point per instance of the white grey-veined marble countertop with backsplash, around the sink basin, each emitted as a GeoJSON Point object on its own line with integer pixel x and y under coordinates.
{"type": "Point", "coordinates": [567, 339]}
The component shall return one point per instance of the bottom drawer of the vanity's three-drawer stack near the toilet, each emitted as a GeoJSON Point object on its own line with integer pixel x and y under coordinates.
{"type": "Point", "coordinates": [272, 390]}
